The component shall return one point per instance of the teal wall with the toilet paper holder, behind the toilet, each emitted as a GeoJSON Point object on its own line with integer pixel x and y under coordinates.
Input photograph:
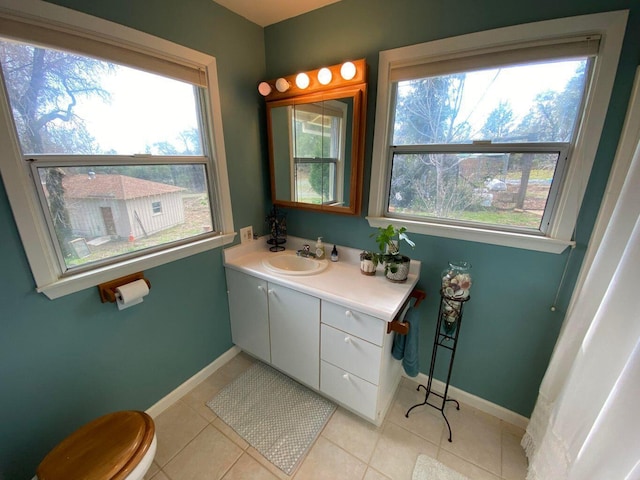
{"type": "Point", "coordinates": [66, 361]}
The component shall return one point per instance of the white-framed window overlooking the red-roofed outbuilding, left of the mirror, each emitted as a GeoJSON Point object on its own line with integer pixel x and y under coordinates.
{"type": "Point", "coordinates": [108, 138]}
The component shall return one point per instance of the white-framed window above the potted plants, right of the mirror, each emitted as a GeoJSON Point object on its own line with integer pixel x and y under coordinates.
{"type": "Point", "coordinates": [491, 136]}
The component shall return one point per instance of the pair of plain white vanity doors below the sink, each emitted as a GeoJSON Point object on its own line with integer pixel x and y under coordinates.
{"type": "Point", "coordinates": [276, 324]}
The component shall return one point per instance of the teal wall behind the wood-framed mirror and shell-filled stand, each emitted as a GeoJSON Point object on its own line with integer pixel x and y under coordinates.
{"type": "Point", "coordinates": [509, 330]}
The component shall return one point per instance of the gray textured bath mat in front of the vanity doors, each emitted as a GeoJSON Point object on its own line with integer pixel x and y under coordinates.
{"type": "Point", "coordinates": [275, 414]}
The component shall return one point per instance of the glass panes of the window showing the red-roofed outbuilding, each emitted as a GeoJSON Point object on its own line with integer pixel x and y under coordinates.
{"type": "Point", "coordinates": [83, 110]}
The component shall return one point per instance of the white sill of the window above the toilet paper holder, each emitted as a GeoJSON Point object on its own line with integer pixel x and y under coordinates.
{"type": "Point", "coordinates": [75, 283]}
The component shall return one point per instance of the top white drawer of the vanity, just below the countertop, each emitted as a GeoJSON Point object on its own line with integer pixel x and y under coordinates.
{"type": "Point", "coordinates": [357, 323]}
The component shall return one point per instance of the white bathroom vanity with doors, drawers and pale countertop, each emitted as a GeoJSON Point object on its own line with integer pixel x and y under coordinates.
{"type": "Point", "coordinates": [326, 330]}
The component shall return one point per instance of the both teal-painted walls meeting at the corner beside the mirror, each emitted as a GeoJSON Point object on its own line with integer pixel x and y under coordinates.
{"type": "Point", "coordinates": [66, 361]}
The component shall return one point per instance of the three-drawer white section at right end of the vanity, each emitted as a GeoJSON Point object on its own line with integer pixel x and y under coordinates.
{"type": "Point", "coordinates": [356, 367]}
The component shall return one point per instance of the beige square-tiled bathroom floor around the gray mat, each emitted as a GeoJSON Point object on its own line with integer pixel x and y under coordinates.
{"type": "Point", "coordinates": [193, 444]}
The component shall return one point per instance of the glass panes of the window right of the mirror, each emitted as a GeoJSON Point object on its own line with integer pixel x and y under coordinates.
{"type": "Point", "coordinates": [445, 163]}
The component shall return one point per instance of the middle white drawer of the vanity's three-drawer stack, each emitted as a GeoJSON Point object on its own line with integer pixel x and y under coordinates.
{"type": "Point", "coordinates": [351, 353]}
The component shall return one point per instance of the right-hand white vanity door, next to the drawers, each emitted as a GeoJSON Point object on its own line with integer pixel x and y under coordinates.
{"type": "Point", "coordinates": [295, 334]}
